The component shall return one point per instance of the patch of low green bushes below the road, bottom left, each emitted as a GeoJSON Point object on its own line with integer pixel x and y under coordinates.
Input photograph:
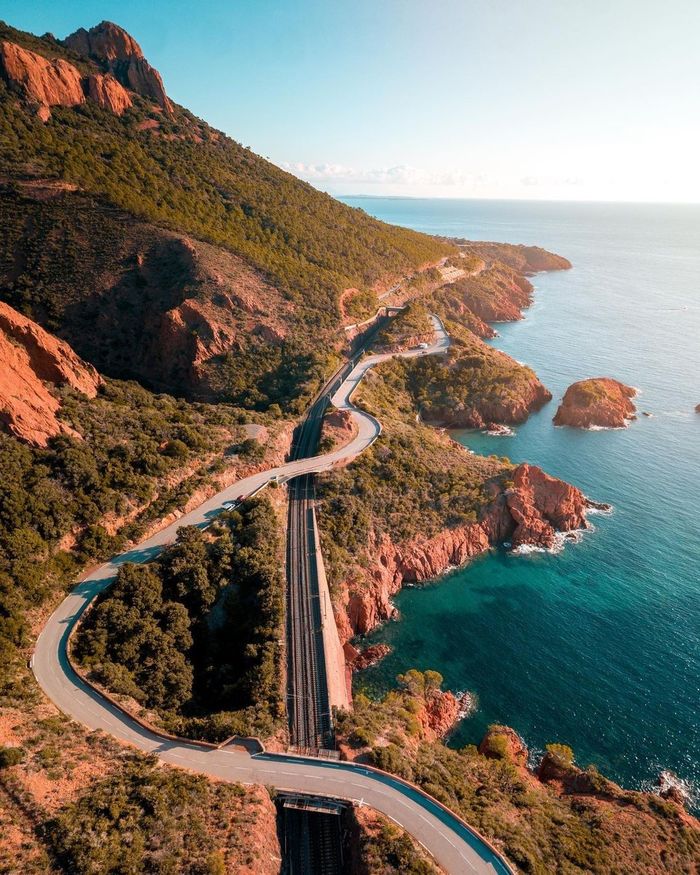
{"type": "Point", "coordinates": [155, 820]}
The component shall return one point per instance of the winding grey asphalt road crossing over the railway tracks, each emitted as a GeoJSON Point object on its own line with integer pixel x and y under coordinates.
{"type": "Point", "coordinates": [452, 843]}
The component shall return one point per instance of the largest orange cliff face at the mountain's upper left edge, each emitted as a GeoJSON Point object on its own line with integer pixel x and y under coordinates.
{"type": "Point", "coordinates": [48, 83]}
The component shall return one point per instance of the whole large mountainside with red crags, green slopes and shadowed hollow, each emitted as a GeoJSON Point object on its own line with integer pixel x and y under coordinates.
{"type": "Point", "coordinates": [149, 185]}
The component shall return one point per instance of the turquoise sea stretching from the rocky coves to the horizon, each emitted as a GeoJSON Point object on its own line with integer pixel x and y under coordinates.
{"type": "Point", "coordinates": [599, 645]}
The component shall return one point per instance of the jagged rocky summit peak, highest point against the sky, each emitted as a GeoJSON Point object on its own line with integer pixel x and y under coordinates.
{"type": "Point", "coordinates": [119, 54]}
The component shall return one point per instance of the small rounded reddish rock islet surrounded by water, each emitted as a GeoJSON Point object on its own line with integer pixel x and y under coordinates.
{"type": "Point", "coordinates": [600, 402]}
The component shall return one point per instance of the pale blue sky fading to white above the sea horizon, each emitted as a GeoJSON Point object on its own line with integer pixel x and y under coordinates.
{"type": "Point", "coordinates": [534, 99]}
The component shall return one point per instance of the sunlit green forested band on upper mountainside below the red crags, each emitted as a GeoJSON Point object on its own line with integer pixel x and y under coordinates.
{"type": "Point", "coordinates": [189, 177]}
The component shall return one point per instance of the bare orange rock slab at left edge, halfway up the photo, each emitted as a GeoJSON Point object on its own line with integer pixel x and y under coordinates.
{"type": "Point", "coordinates": [29, 359]}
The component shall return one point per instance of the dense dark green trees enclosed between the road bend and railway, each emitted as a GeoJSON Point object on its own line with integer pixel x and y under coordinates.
{"type": "Point", "coordinates": [195, 634]}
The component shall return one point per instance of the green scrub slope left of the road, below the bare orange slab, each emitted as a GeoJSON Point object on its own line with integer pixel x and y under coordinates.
{"type": "Point", "coordinates": [138, 451]}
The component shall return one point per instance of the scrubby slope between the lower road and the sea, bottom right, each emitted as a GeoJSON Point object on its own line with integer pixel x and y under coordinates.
{"type": "Point", "coordinates": [541, 827]}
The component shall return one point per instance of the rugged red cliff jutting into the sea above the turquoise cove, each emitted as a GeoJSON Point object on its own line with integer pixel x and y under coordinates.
{"type": "Point", "coordinates": [531, 509]}
